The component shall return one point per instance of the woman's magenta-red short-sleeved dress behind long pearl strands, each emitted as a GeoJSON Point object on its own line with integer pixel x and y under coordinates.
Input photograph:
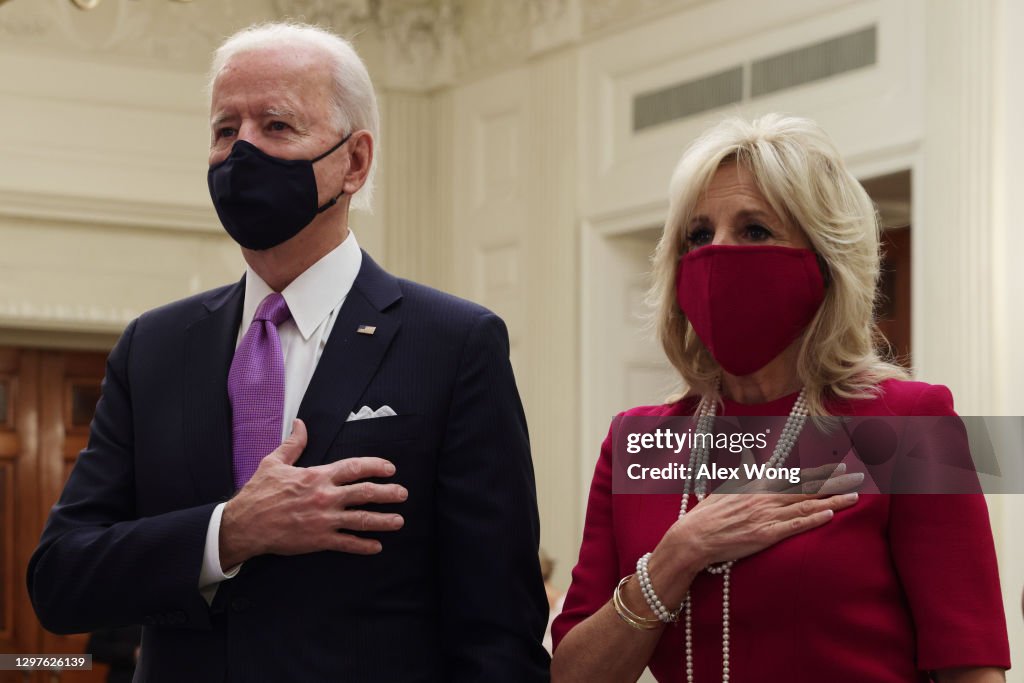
{"type": "Point", "coordinates": [888, 591]}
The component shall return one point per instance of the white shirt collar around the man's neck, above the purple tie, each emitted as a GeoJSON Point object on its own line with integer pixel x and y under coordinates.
{"type": "Point", "coordinates": [314, 294]}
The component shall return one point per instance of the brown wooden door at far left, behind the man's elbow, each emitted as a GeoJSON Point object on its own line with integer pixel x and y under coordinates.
{"type": "Point", "coordinates": [48, 400]}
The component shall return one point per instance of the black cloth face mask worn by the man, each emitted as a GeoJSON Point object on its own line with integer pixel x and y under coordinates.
{"type": "Point", "coordinates": [264, 201]}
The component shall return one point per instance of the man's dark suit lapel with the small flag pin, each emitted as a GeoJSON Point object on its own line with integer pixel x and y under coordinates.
{"type": "Point", "coordinates": [351, 360]}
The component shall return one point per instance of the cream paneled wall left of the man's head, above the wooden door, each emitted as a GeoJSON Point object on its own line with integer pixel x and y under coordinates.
{"type": "Point", "coordinates": [104, 207]}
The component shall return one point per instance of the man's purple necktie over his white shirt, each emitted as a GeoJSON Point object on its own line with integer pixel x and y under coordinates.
{"type": "Point", "coordinates": [257, 389]}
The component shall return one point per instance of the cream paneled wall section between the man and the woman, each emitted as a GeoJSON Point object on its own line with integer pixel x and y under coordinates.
{"type": "Point", "coordinates": [516, 251]}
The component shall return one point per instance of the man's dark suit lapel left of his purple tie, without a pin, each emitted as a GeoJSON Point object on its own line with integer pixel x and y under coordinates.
{"type": "Point", "coordinates": [209, 350]}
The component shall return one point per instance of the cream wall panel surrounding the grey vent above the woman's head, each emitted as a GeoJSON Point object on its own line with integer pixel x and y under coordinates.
{"type": "Point", "coordinates": [869, 112]}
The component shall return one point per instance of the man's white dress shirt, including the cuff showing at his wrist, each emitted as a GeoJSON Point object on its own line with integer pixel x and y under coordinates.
{"type": "Point", "coordinates": [314, 300]}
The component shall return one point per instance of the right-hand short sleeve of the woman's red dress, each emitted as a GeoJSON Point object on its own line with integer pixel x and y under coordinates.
{"type": "Point", "coordinates": [945, 556]}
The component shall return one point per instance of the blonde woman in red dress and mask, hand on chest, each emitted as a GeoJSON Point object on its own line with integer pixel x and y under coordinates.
{"type": "Point", "coordinates": [764, 287]}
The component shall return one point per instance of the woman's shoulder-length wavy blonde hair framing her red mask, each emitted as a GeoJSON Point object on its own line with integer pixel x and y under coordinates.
{"type": "Point", "coordinates": [802, 177]}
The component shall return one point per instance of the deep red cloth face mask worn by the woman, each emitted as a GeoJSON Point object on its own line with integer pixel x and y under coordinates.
{"type": "Point", "coordinates": [748, 305]}
